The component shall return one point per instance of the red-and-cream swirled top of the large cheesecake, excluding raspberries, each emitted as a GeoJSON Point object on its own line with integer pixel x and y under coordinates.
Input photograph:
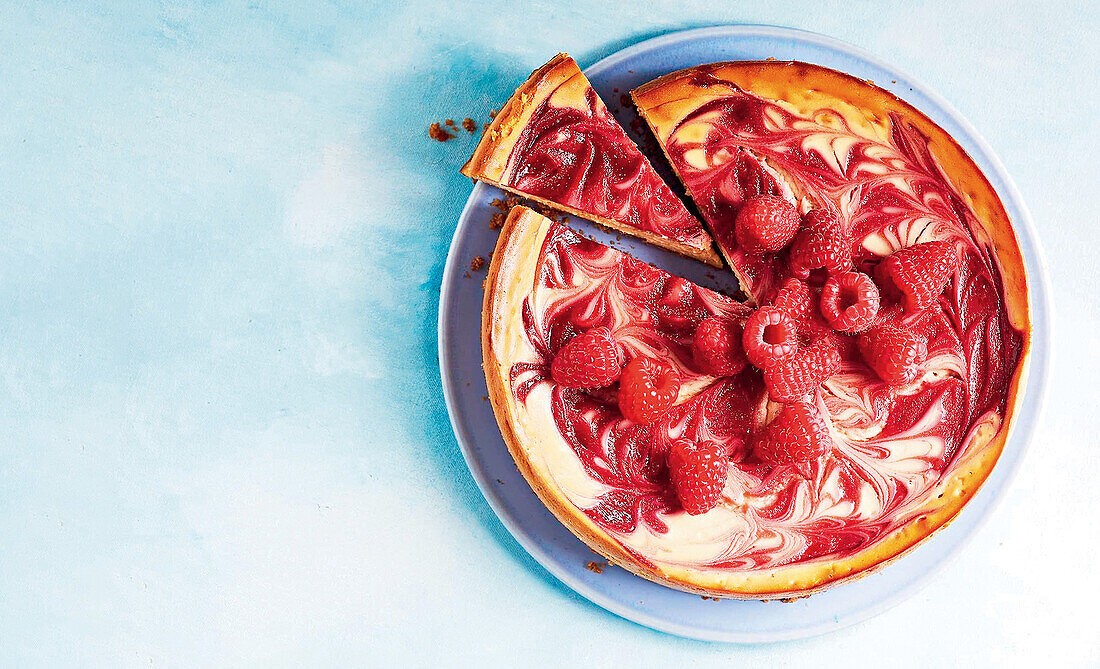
{"type": "Point", "coordinates": [904, 459]}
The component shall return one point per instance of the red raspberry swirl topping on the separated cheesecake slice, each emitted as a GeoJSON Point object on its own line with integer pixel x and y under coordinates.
{"type": "Point", "coordinates": [585, 160]}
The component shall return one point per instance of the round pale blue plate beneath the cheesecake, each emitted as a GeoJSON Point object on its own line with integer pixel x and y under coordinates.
{"type": "Point", "coordinates": [554, 546]}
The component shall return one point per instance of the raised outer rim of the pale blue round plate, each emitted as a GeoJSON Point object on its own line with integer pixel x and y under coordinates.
{"type": "Point", "coordinates": [1032, 404]}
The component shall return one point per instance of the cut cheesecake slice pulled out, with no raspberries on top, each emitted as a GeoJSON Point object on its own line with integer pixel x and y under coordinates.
{"type": "Point", "coordinates": [555, 142]}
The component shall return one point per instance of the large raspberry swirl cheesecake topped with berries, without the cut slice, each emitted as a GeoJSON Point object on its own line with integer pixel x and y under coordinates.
{"type": "Point", "coordinates": [774, 449]}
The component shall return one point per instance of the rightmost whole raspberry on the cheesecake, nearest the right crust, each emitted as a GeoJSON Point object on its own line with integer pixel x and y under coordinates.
{"type": "Point", "coordinates": [918, 273]}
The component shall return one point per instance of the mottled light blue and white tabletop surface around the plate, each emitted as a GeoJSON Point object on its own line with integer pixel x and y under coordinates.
{"type": "Point", "coordinates": [224, 440]}
